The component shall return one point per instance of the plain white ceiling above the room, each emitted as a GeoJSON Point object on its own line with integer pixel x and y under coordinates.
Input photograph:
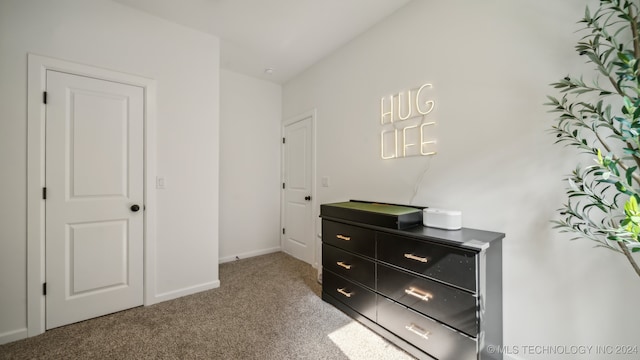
{"type": "Point", "coordinates": [287, 36]}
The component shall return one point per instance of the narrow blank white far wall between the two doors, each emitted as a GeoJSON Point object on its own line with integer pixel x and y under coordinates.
{"type": "Point", "coordinates": [250, 116]}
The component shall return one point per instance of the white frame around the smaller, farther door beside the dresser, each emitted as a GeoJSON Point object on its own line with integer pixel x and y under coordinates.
{"type": "Point", "coordinates": [314, 212]}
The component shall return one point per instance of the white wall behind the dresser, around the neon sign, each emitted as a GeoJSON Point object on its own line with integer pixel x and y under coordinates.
{"type": "Point", "coordinates": [490, 63]}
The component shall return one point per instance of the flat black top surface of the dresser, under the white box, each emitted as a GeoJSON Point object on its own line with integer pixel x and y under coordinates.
{"type": "Point", "coordinates": [472, 239]}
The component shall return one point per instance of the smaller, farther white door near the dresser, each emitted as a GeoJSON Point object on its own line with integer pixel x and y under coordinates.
{"type": "Point", "coordinates": [298, 221]}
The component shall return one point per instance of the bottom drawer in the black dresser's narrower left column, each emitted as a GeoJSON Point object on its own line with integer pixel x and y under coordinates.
{"type": "Point", "coordinates": [356, 297]}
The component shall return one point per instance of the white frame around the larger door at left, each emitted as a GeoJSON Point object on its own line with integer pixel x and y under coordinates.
{"type": "Point", "coordinates": [36, 132]}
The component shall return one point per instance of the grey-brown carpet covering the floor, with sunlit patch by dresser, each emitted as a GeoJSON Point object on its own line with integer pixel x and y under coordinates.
{"type": "Point", "coordinates": [267, 307]}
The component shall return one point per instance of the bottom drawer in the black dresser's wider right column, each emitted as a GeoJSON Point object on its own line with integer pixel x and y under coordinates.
{"type": "Point", "coordinates": [424, 333]}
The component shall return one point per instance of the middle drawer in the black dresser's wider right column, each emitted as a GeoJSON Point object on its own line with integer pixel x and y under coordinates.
{"type": "Point", "coordinates": [449, 305]}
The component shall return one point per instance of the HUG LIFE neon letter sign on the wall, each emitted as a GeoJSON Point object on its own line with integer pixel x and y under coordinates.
{"type": "Point", "coordinates": [406, 130]}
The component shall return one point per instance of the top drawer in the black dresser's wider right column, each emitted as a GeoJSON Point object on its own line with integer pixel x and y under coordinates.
{"type": "Point", "coordinates": [453, 266]}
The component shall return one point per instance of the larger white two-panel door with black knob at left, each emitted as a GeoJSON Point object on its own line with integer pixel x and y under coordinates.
{"type": "Point", "coordinates": [94, 197]}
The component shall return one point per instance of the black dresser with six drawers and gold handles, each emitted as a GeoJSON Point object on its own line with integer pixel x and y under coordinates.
{"type": "Point", "coordinates": [434, 293]}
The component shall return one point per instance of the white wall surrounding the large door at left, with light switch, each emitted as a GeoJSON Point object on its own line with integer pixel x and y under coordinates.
{"type": "Point", "coordinates": [185, 64]}
